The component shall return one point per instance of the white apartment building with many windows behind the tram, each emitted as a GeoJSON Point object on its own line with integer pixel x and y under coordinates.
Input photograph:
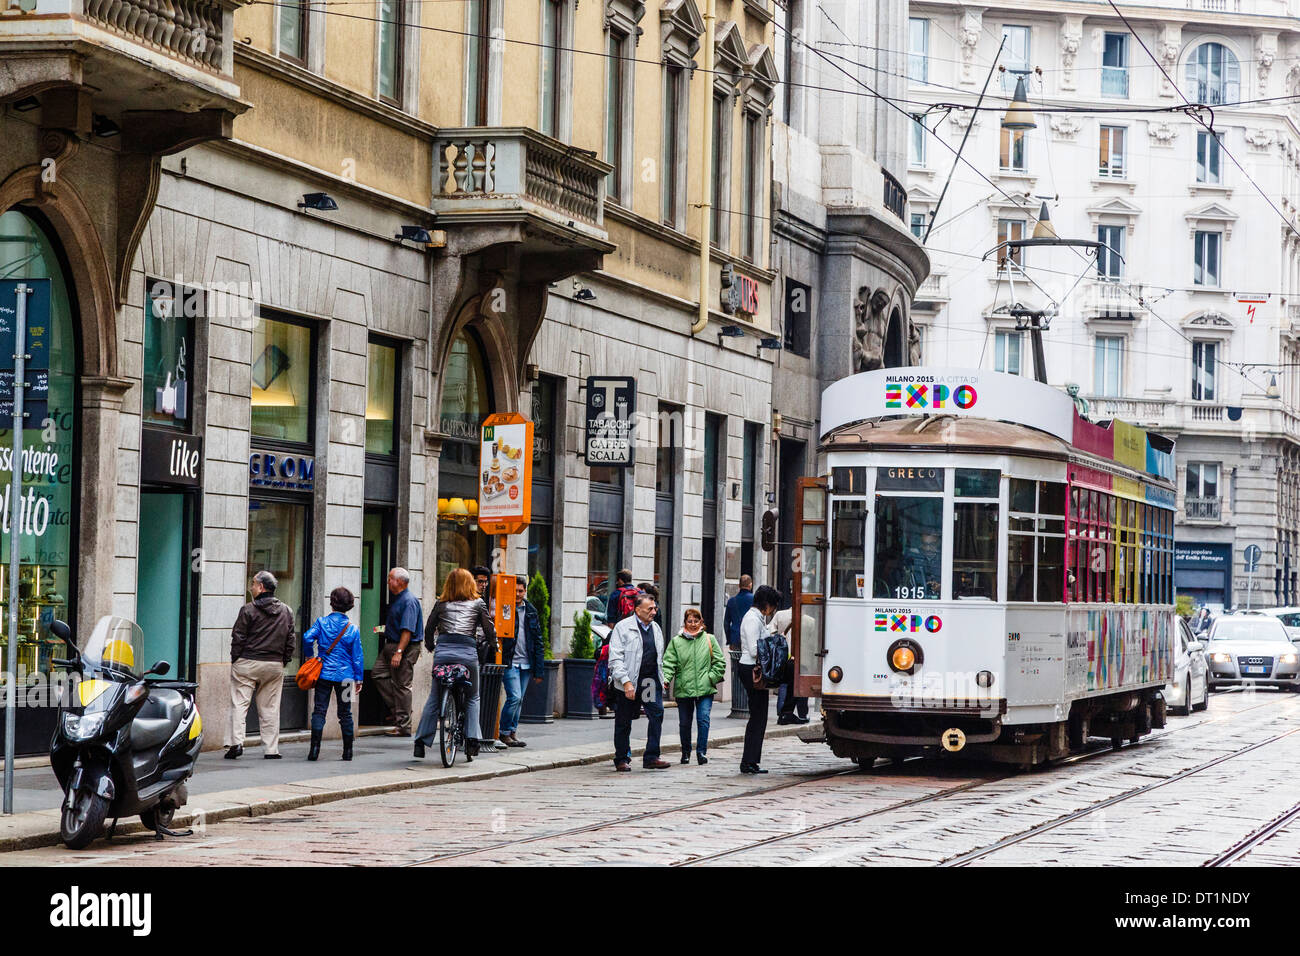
{"type": "Point", "coordinates": [1162, 331]}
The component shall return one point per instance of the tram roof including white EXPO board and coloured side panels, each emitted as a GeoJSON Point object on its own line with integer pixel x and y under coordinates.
{"type": "Point", "coordinates": [980, 409]}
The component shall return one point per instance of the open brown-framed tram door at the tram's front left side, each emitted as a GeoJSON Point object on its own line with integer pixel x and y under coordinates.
{"type": "Point", "coordinates": [809, 599]}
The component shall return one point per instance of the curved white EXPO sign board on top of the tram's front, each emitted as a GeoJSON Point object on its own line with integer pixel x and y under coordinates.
{"type": "Point", "coordinates": [963, 392]}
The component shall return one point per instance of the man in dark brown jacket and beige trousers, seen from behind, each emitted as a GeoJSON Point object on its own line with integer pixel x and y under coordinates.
{"type": "Point", "coordinates": [262, 644]}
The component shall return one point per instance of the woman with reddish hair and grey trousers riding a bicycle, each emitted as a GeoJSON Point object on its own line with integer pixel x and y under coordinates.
{"type": "Point", "coordinates": [450, 633]}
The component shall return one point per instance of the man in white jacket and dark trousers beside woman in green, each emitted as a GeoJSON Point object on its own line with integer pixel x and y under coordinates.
{"type": "Point", "coordinates": [636, 668]}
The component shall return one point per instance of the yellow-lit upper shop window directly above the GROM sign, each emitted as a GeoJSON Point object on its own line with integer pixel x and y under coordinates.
{"type": "Point", "coordinates": [281, 388]}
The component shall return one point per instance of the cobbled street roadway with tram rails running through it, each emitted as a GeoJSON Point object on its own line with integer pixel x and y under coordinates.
{"type": "Point", "coordinates": [1185, 797]}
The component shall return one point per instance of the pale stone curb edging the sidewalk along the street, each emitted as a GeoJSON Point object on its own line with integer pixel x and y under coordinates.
{"type": "Point", "coordinates": [259, 802]}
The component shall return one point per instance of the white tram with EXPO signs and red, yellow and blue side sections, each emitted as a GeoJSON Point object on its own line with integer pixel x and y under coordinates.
{"type": "Point", "coordinates": [982, 570]}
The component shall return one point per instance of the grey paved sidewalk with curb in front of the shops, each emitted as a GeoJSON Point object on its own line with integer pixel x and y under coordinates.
{"type": "Point", "coordinates": [252, 786]}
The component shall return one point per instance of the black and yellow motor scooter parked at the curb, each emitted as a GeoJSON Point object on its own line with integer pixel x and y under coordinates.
{"type": "Point", "coordinates": [125, 745]}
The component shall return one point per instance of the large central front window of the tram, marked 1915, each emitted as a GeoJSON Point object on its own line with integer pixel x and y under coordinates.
{"type": "Point", "coordinates": [909, 548]}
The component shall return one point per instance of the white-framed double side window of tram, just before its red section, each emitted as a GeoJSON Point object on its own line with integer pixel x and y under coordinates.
{"type": "Point", "coordinates": [1037, 542]}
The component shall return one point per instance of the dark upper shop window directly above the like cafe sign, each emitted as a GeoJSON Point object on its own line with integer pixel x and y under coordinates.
{"type": "Point", "coordinates": [167, 390]}
